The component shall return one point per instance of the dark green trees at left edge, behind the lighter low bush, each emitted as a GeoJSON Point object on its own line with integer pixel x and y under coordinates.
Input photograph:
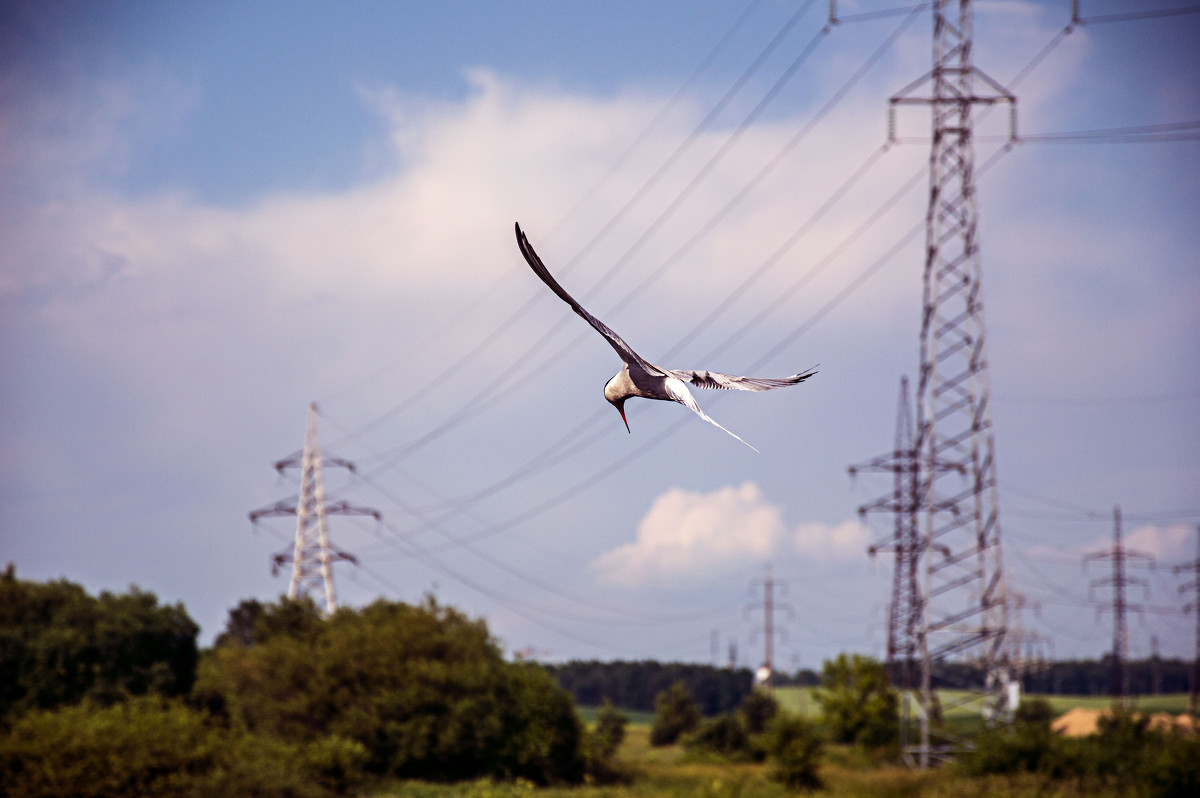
{"type": "Point", "coordinates": [59, 646]}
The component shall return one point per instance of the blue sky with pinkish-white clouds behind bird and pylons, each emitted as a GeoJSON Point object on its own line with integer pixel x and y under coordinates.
{"type": "Point", "coordinates": [214, 215]}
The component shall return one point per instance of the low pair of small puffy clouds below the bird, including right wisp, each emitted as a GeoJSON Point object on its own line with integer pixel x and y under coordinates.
{"type": "Point", "coordinates": [692, 536]}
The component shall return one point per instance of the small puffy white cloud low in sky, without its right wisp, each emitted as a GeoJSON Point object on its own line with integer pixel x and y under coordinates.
{"type": "Point", "coordinates": [688, 536]}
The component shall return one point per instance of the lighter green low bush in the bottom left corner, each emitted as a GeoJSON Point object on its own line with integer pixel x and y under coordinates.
{"type": "Point", "coordinates": [148, 748]}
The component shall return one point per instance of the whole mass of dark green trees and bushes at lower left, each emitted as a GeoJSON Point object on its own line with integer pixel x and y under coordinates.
{"type": "Point", "coordinates": [110, 695]}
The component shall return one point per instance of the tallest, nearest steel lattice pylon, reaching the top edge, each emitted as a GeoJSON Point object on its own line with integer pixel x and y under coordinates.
{"type": "Point", "coordinates": [965, 608]}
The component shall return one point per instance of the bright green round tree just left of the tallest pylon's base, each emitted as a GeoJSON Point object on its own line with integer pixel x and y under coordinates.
{"type": "Point", "coordinates": [857, 701]}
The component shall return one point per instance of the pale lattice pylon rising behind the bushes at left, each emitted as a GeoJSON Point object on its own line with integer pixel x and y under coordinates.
{"type": "Point", "coordinates": [311, 555]}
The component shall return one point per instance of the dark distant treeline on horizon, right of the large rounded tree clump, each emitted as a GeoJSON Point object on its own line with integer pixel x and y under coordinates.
{"type": "Point", "coordinates": [635, 686]}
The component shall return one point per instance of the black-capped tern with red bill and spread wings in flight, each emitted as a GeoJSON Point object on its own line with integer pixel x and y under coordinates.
{"type": "Point", "coordinates": [640, 377]}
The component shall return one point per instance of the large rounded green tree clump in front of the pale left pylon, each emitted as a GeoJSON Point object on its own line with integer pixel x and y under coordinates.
{"type": "Point", "coordinates": [424, 689]}
